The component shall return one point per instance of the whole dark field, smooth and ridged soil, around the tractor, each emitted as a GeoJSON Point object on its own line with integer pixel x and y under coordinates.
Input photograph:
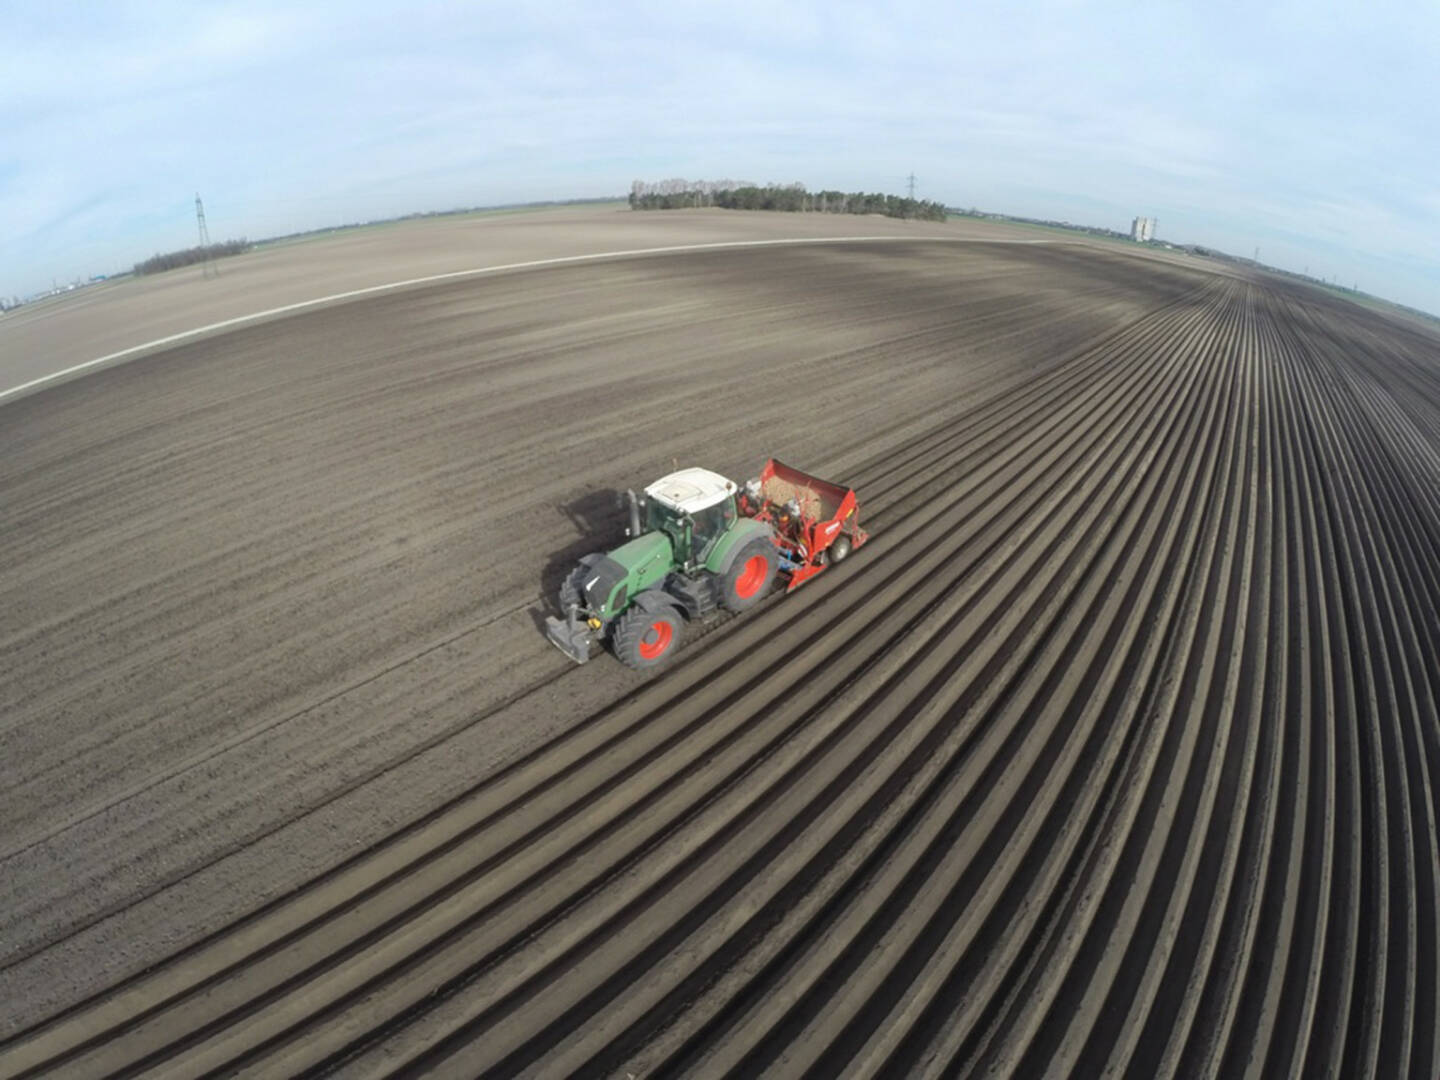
{"type": "Point", "coordinates": [1115, 748]}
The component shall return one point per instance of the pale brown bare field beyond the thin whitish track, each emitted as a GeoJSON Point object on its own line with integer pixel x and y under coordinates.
{"type": "Point", "coordinates": [38, 341]}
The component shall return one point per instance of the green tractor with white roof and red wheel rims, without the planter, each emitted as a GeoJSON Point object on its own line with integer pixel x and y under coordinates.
{"type": "Point", "coordinates": [690, 552]}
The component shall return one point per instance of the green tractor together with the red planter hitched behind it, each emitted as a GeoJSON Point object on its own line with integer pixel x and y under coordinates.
{"type": "Point", "coordinates": [699, 544]}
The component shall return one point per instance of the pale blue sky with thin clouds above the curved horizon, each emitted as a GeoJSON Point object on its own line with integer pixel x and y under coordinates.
{"type": "Point", "coordinates": [1307, 130]}
